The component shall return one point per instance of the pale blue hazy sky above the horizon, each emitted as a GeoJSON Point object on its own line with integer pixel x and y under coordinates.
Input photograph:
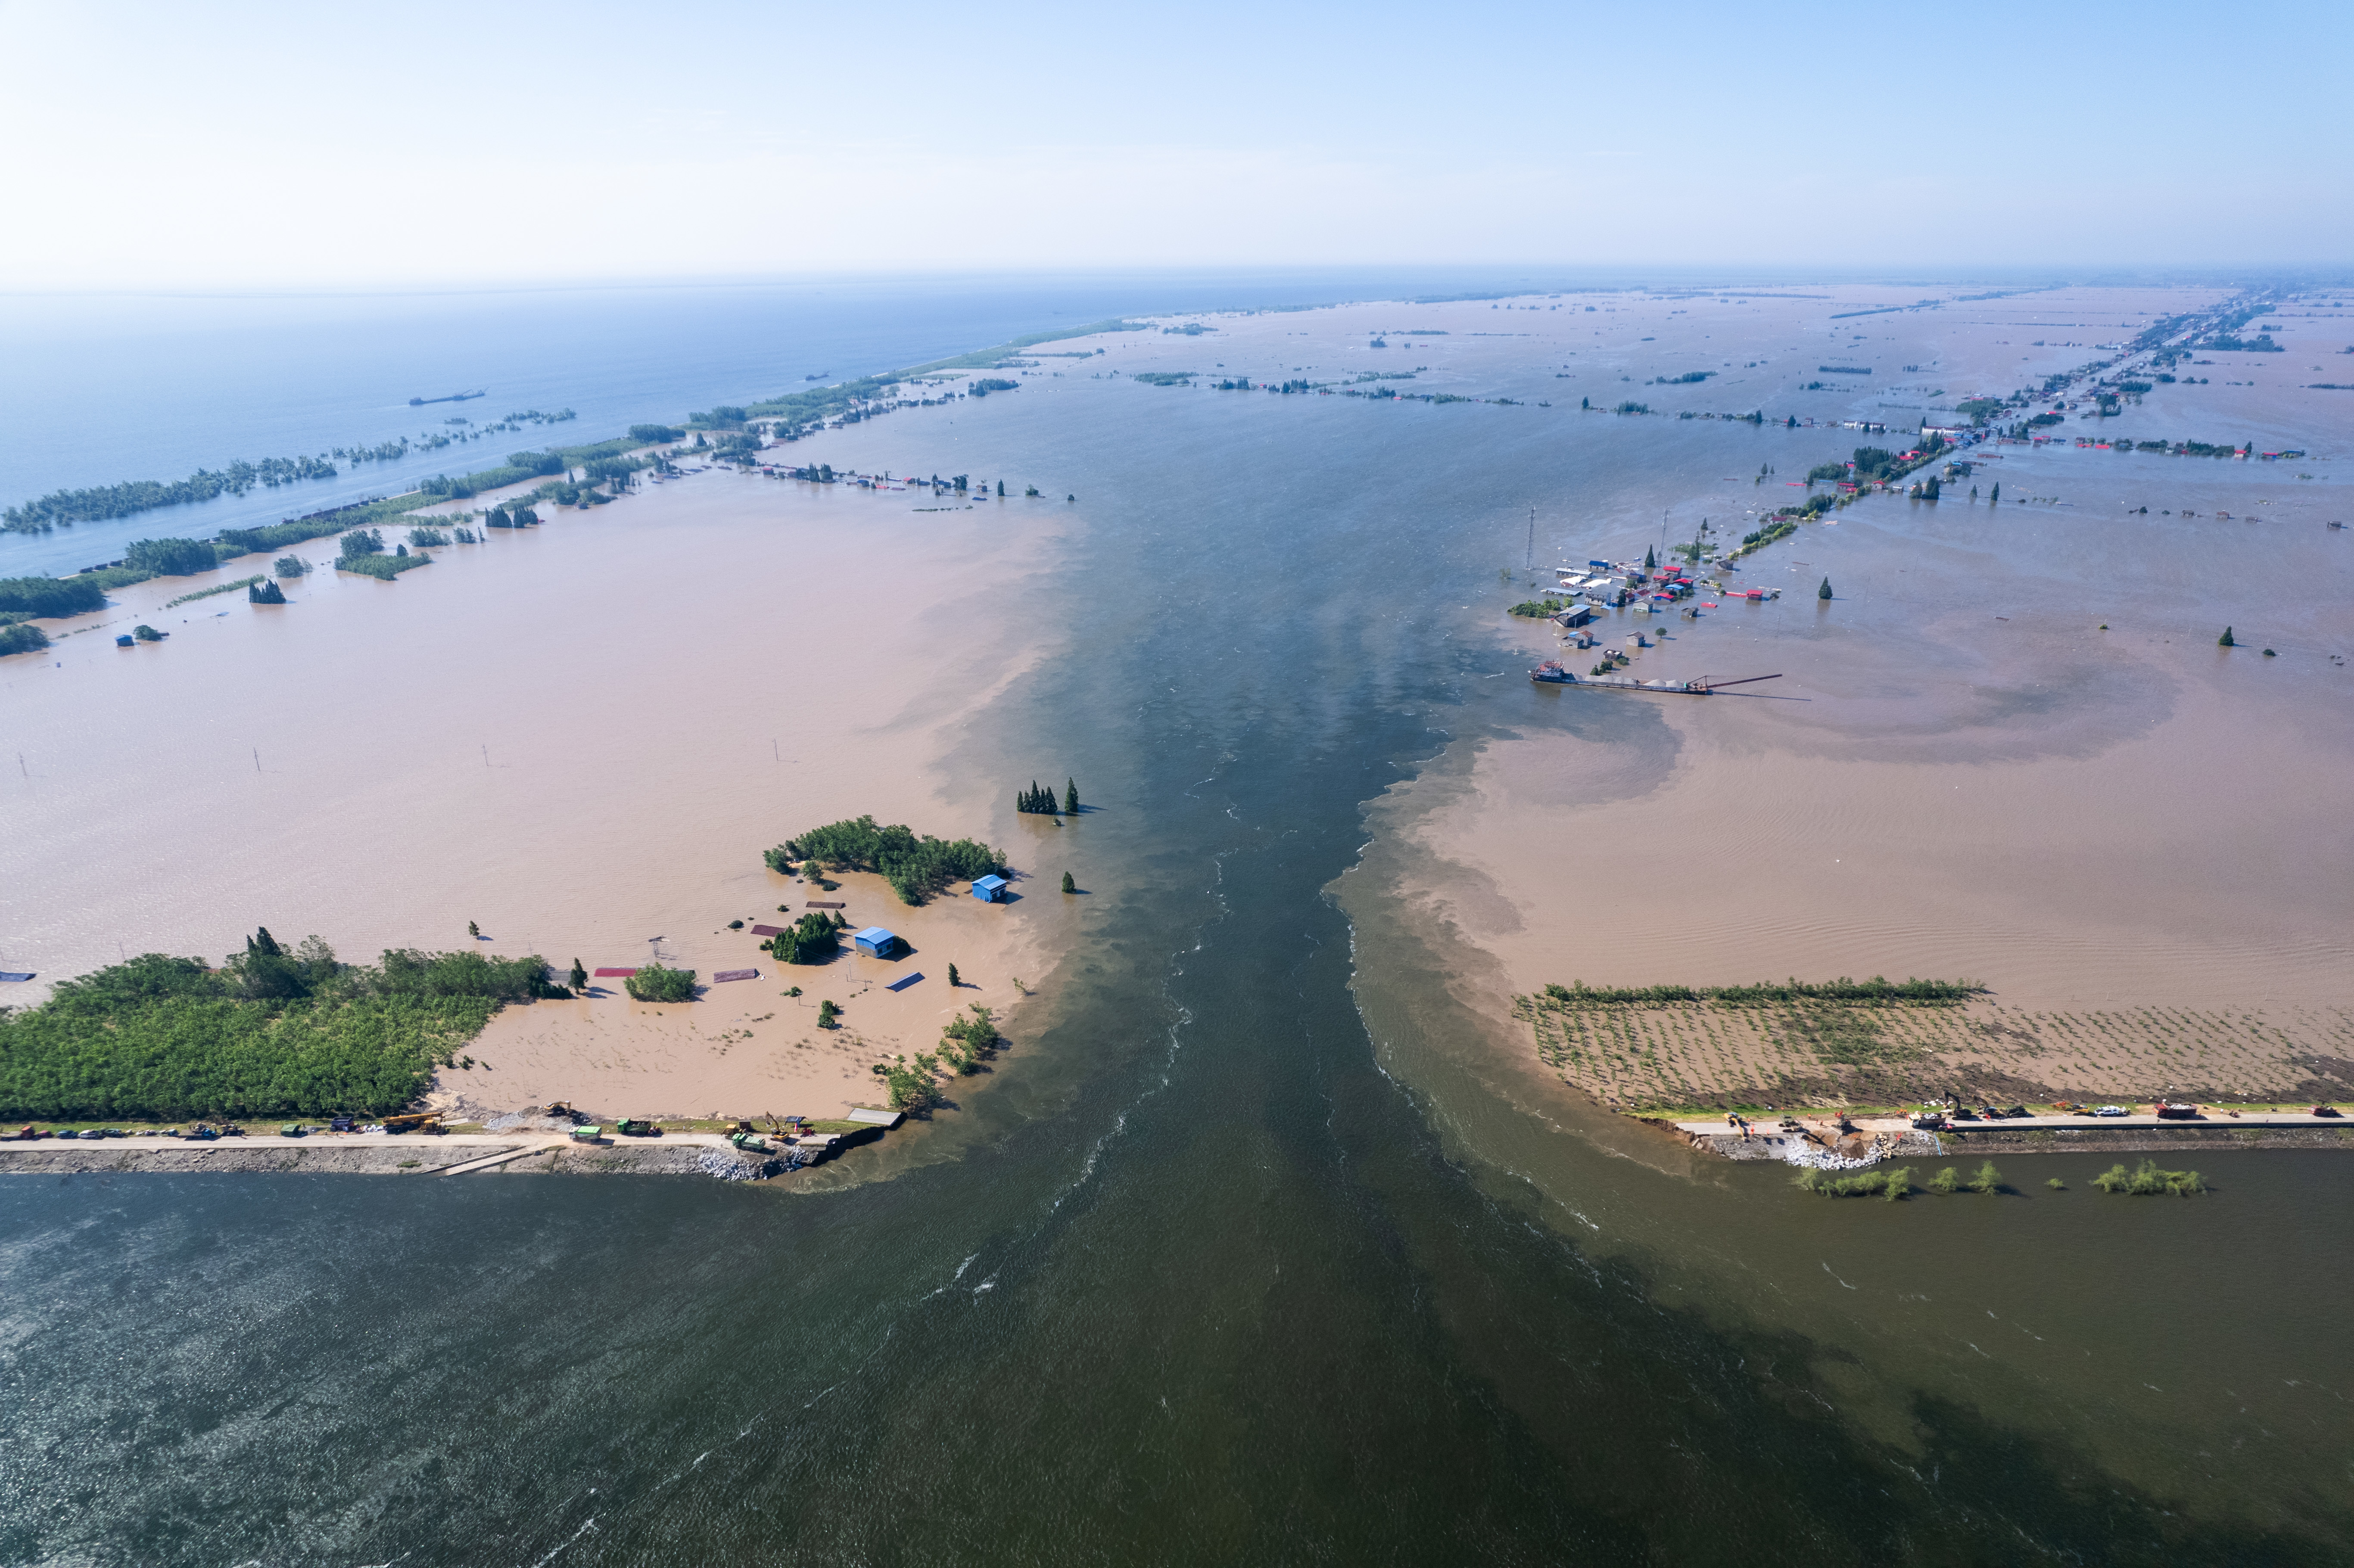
{"type": "Point", "coordinates": [324, 147]}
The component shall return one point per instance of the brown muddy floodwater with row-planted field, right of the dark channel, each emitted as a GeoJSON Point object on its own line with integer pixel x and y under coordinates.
{"type": "Point", "coordinates": [2127, 839]}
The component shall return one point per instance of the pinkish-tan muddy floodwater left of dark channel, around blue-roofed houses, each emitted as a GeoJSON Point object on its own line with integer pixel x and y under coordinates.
{"type": "Point", "coordinates": [580, 740]}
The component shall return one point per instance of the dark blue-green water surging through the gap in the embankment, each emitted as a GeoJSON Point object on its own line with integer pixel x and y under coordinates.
{"type": "Point", "coordinates": [1213, 1273]}
